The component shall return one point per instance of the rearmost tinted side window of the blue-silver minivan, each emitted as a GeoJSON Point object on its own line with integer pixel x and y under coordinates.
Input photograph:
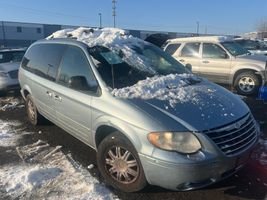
{"type": "Point", "coordinates": [43, 60]}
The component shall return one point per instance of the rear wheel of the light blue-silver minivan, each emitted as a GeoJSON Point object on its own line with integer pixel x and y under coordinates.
{"type": "Point", "coordinates": [33, 115]}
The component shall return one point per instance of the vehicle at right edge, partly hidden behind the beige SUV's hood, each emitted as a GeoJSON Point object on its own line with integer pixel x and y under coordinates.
{"type": "Point", "coordinates": [253, 46]}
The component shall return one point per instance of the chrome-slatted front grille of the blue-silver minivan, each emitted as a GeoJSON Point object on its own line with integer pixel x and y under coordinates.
{"type": "Point", "coordinates": [235, 137]}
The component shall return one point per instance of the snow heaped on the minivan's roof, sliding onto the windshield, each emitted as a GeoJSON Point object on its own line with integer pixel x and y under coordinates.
{"type": "Point", "coordinates": [112, 38]}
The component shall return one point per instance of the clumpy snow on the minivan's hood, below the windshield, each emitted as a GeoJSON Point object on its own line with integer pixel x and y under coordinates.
{"type": "Point", "coordinates": [173, 88]}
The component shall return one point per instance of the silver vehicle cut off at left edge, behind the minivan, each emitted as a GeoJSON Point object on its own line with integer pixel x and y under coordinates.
{"type": "Point", "coordinates": [9, 65]}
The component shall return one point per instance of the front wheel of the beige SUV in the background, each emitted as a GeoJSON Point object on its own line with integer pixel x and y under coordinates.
{"type": "Point", "coordinates": [247, 83]}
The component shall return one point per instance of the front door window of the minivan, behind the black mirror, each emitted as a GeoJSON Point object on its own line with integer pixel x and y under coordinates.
{"type": "Point", "coordinates": [75, 71]}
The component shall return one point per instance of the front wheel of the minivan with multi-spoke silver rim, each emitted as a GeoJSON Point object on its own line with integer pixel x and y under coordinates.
{"type": "Point", "coordinates": [119, 163]}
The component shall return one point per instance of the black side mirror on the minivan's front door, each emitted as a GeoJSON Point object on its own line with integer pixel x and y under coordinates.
{"type": "Point", "coordinates": [80, 83]}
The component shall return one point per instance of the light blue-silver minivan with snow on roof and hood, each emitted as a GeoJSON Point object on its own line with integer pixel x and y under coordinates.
{"type": "Point", "coordinates": [148, 118]}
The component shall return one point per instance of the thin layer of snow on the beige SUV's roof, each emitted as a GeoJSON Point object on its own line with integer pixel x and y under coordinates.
{"type": "Point", "coordinates": [216, 39]}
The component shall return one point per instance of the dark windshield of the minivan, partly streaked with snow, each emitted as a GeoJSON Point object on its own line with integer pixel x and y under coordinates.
{"type": "Point", "coordinates": [121, 69]}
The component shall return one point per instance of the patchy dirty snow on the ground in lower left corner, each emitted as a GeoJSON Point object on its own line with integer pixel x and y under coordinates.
{"type": "Point", "coordinates": [45, 172]}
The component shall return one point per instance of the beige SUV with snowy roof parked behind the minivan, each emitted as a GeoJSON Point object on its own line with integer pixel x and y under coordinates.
{"type": "Point", "coordinates": [221, 60]}
